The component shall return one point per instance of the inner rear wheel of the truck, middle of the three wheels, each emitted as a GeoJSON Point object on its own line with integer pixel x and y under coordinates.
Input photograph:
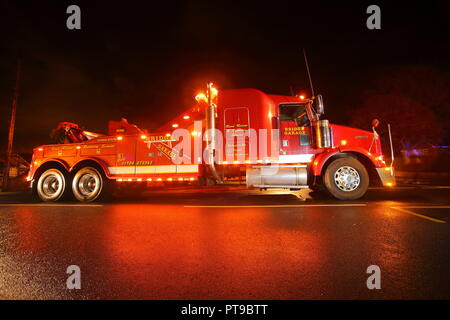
{"type": "Point", "coordinates": [90, 184]}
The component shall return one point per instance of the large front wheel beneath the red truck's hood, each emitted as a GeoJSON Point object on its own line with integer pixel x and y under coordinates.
{"type": "Point", "coordinates": [346, 179]}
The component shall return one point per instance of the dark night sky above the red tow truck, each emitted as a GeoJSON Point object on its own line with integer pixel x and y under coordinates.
{"type": "Point", "coordinates": [145, 61]}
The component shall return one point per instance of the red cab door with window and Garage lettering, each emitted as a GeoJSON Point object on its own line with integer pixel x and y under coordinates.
{"type": "Point", "coordinates": [295, 133]}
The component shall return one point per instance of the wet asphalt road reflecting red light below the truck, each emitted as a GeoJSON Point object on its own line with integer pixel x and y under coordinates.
{"type": "Point", "coordinates": [228, 243]}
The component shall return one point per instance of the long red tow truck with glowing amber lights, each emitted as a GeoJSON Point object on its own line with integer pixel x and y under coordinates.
{"type": "Point", "coordinates": [270, 141]}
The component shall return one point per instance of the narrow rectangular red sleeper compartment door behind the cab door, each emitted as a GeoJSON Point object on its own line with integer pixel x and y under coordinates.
{"type": "Point", "coordinates": [237, 124]}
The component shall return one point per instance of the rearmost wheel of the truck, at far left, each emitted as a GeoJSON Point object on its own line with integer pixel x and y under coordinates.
{"type": "Point", "coordinates": [53, 185]}
